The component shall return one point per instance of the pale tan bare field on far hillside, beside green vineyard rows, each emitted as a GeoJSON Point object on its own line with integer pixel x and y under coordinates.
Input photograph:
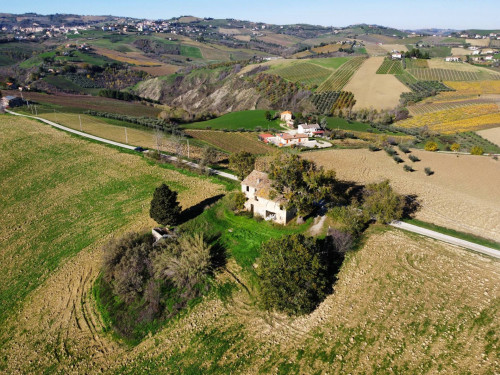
{"type": "Point", "coordinates": [380, 91]}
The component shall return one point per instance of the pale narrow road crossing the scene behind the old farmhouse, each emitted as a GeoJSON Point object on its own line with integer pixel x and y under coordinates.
{"type": "Point", "coordinates": [397, 224]}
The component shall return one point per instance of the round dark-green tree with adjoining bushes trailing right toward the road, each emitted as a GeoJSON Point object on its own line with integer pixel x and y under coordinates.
{"type": "Point", "coordinates": [296, 273]}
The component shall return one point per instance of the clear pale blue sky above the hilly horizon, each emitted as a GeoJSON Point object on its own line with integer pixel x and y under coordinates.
{"type": "Point", "coordinates": [403, 14]}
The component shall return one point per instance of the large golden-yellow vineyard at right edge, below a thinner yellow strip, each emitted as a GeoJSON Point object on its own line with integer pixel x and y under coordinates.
{"type": "Point", "coordinates": [458, 119]}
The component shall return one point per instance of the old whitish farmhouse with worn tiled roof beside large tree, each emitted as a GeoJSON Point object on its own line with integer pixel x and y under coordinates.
{"type": "Point", "coordinates": [263, 200]}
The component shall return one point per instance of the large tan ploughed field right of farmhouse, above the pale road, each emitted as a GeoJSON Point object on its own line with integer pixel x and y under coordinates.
{"type": "Point", "coordinates": [456, 196]}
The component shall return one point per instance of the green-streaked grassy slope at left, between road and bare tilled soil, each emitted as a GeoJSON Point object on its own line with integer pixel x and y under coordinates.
{"type": "Point", "coordinates": [73, 193]}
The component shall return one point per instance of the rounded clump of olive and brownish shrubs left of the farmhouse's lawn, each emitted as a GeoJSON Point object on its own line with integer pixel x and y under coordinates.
{"type": "Point", "coordinates": [143, 281]}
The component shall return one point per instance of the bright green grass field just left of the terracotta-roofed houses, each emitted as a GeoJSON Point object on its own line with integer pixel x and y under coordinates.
{"type": "Point", "coordinates": [248, 120]}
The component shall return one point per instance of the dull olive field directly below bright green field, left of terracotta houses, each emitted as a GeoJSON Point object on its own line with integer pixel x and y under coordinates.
{"type": "Point", "coordinates": [232, 141]}
